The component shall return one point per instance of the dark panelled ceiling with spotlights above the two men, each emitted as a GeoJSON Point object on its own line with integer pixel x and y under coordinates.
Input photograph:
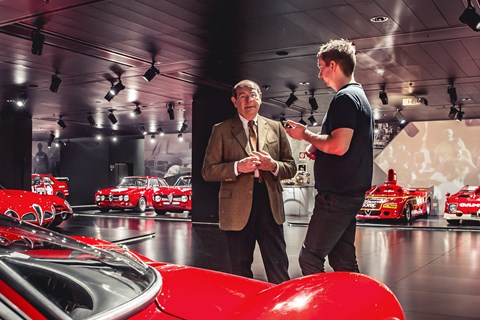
{"type": "Point", "coordinates": [417, 52]}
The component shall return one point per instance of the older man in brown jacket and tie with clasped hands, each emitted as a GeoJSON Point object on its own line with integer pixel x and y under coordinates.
{"type": "Point", "coordinates": [249, 155]}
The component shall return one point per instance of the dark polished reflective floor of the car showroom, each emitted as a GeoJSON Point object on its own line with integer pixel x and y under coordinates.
{"type": "Point", "coordinates": [433, 269]}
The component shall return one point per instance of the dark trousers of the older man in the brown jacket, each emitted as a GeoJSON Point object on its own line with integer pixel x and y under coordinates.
{"type": "Point", "coordinates": [261, 228]}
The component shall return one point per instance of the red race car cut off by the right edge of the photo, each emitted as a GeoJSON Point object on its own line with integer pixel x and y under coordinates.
{"type": "Point", "coordinates": [463, 205]}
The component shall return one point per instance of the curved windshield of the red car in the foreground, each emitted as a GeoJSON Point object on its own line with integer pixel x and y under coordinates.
{"type": "Point", "coordinates": [76, 278]}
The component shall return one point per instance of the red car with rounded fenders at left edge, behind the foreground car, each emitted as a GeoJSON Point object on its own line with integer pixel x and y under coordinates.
{"type": "Point", "coordinates": [30, 207]}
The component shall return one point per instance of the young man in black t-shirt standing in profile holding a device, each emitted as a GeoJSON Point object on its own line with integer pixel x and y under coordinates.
{"type": "Point", "coordinates": [343, 167]}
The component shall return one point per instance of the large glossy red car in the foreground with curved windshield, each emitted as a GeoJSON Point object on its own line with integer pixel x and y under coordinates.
{"type": "Point", "coordinates": [47, 275]}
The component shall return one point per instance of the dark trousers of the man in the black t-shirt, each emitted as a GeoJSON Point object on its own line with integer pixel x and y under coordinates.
{"type": "Point", "coordinates": [331, 232]}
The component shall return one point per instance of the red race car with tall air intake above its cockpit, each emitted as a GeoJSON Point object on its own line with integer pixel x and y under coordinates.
{"type": "Point", "coordinates": [391, 201]}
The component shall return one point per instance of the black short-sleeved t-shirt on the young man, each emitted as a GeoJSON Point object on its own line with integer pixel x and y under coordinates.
{"type": "Point", "coordinates": [350, 174]}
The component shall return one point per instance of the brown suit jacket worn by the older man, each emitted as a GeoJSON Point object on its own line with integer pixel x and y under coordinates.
{"type": "Point", "coordinates": [228, 143]}
